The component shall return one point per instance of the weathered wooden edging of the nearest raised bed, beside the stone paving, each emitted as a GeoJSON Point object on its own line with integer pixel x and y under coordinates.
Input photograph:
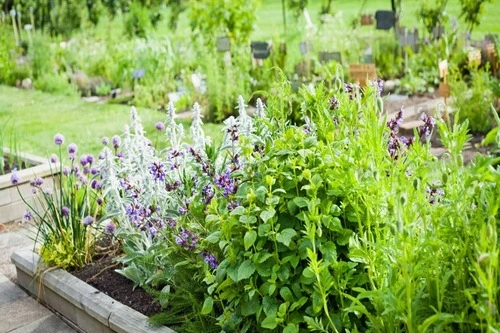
{"type": "Point", "coordinates": [81, 304]}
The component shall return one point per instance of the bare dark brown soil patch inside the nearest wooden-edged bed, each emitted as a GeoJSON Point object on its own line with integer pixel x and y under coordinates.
{"type": "Point", "coordinates": [101, 275]}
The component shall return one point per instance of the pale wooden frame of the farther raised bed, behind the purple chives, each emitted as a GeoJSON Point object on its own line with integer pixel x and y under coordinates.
{"type": "Point", "coordinates": [12, 208]}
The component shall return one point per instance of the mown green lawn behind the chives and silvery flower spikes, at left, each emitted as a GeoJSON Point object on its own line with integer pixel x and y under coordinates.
{"type": "Point", "coordinates": [36, 117]}
